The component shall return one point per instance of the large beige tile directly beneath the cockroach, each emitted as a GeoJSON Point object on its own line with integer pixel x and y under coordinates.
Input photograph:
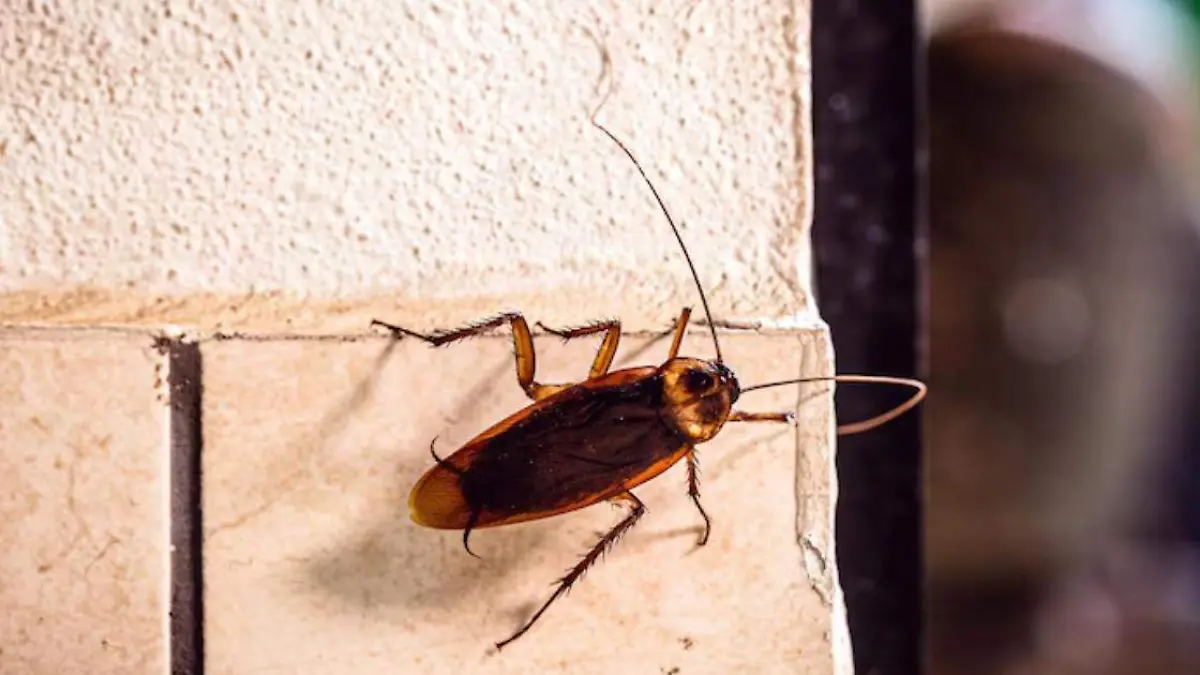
{"type": "Point", "coordinates": [314, 566]}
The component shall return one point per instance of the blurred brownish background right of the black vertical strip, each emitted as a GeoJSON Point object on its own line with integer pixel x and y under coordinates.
{"type": "Point", "coordinates": [1063, 470]}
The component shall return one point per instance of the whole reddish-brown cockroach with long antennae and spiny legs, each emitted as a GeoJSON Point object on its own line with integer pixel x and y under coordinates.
{"type": "Point", "coordinates": [581, 445]}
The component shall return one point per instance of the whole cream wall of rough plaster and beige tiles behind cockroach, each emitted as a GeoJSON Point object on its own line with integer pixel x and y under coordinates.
{"type": "Point", "coordinates": [206, 453]}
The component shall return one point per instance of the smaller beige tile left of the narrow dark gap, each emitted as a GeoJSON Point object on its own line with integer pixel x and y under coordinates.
{"type": "Point", "coordinates": [82, 517]}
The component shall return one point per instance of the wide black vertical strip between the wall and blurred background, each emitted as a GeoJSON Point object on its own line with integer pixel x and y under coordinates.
{"type": "Point", "coordinates": [867, 277]}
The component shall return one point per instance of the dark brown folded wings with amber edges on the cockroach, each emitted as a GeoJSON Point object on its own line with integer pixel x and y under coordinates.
{"type": "Point", "coordinates": [567, 452]}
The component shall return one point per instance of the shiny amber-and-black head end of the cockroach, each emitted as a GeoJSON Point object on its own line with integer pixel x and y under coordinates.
{"type": "Point", "coordinates": [698, 397]}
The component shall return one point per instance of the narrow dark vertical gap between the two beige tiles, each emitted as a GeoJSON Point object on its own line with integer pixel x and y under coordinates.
{"type": "Point", "coordinates": [187, 569]}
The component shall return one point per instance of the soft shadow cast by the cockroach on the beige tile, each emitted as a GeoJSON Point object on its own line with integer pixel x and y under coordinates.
{"type": "Point", "coordinates": [389, 564]}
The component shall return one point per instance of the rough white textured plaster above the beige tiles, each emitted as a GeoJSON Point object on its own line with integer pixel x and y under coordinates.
{"type": "Point", "coordinates": [305, 165]}
